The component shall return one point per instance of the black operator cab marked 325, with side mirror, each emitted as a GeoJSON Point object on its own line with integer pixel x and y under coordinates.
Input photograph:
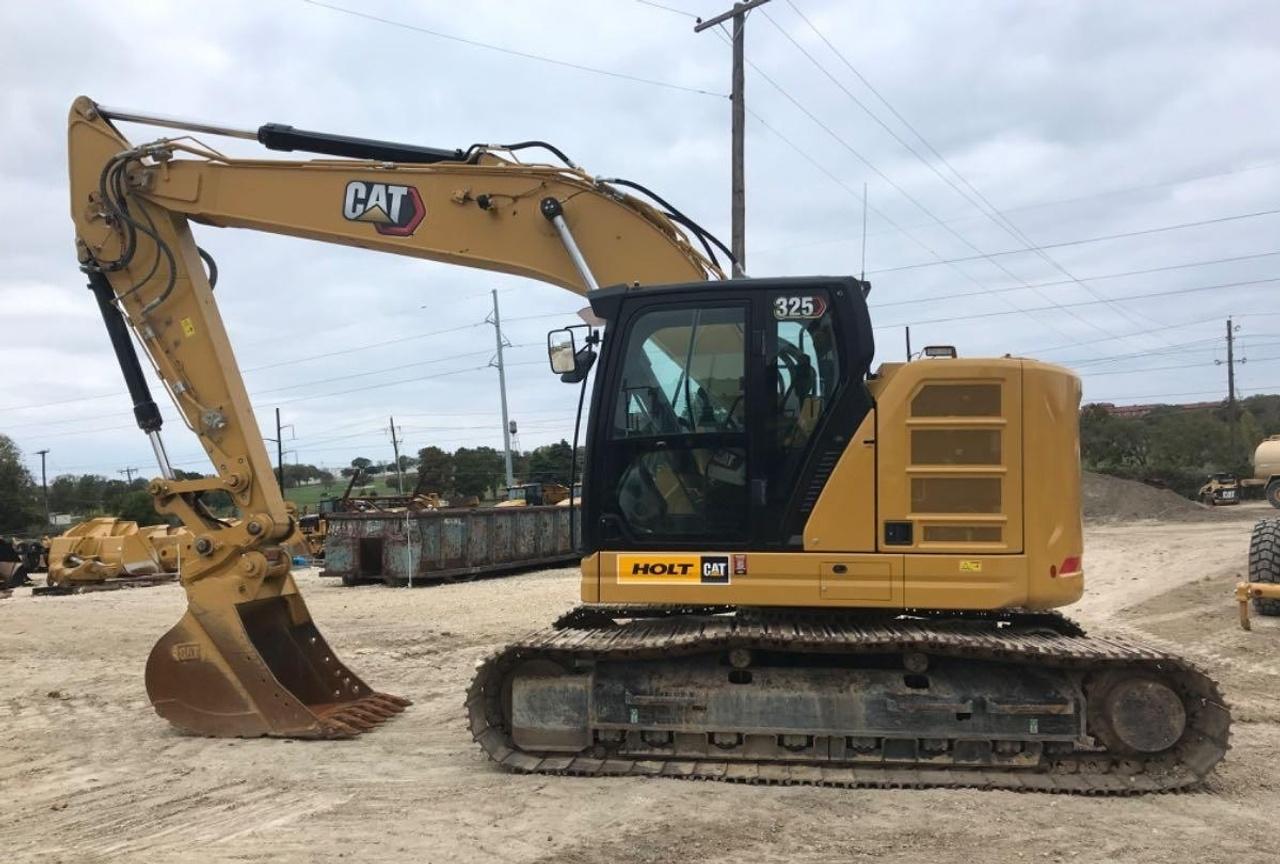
{"type": "Point", "coordinates": [719, 409]}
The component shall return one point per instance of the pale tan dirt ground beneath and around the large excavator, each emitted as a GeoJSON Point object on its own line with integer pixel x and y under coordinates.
{"type": "Point", "coordinates": [89, 774]}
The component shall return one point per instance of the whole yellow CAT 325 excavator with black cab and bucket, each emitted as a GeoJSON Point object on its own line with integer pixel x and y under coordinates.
{"type": "Point", "coordinates": [797, 568]}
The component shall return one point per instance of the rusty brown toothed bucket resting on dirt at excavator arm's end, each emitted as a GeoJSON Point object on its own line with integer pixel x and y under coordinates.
{"type": "Point", "coordinates": [257, 669]}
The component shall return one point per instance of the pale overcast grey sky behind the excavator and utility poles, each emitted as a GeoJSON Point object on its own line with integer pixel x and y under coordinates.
{"type": "Point", "coordinates": [1034, 126]}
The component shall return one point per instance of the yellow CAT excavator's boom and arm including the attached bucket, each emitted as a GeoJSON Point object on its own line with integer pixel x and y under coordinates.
{"type": "Point", "coordinates": [246, 659]}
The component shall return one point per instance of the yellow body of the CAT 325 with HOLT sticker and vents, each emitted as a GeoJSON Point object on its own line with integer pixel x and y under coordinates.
{"type": "Point", "coordinates": [966, 452]}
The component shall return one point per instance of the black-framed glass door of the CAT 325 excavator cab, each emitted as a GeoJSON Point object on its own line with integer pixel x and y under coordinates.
{"type": "Point", "coordinates": [673, 455]}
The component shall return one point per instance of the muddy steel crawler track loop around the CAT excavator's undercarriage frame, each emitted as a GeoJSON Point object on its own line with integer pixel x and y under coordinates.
{"type": "Point", "coordinates": [1031, 641]}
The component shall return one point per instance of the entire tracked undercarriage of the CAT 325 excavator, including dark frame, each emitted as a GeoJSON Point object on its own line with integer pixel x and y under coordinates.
{"type": "Point", "coordinates": [1003, 701]}
